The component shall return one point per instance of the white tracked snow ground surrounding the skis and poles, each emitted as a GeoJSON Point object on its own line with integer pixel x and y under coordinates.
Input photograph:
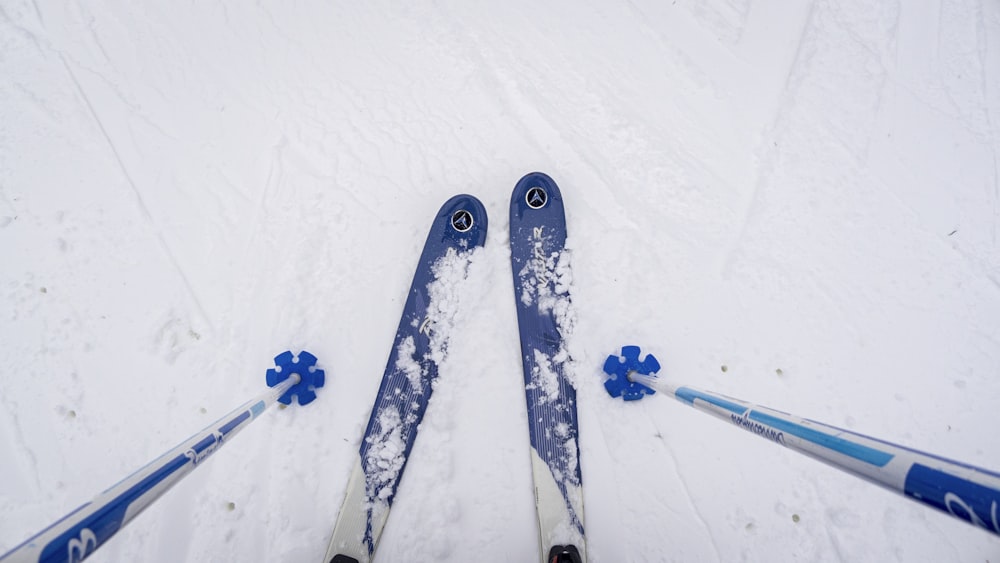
{"type": "Point", "coordinates": [188, 189]}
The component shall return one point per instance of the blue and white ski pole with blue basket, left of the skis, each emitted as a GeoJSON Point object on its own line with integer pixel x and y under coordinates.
{"type": "Point", "coordinates": [78, 534]}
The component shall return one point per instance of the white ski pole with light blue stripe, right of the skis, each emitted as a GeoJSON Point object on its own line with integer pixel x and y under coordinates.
{"type": "Point", "coordinates": [964, 491]}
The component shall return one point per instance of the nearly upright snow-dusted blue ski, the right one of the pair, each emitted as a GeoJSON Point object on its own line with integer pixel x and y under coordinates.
{"type": "Point", "coordinates": [541, 271]}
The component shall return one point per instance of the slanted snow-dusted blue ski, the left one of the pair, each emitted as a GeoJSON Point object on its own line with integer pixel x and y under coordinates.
{"type": "Point", "coordinates": [421, 342]}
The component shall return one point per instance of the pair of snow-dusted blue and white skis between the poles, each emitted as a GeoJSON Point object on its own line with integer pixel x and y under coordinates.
{"type": "Point", "coordinates": [541, 277]}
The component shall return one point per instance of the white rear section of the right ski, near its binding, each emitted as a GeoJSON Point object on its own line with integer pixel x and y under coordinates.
{"type": "Point", "coordinates": [555, 524]}
